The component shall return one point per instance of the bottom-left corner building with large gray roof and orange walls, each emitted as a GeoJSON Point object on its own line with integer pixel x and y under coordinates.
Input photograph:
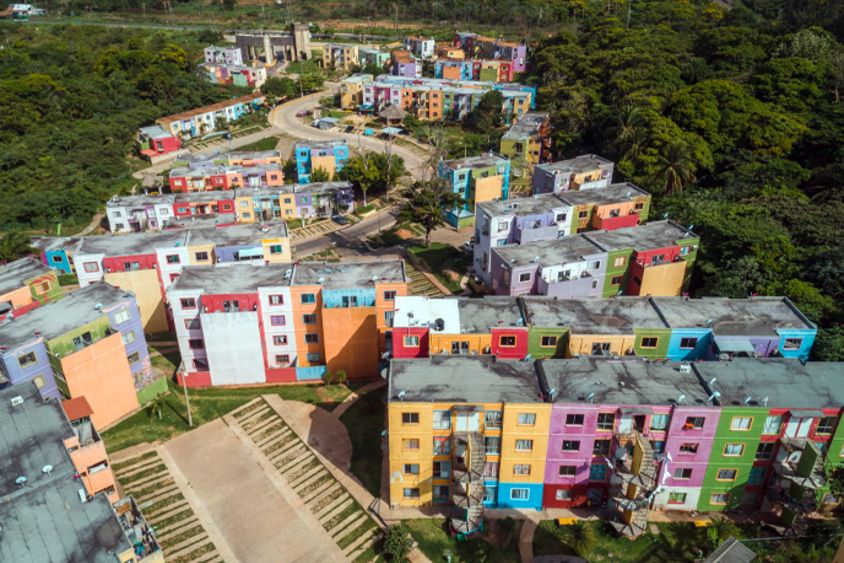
{"type": "Point", "coordinates": [54, 517]}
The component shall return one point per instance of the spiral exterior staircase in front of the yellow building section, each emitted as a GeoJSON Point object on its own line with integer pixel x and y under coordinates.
{"type": "Point", "coordinates": [468, 459]}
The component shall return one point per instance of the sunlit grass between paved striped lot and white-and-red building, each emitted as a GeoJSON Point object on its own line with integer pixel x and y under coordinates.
{"type": "Point", "coordinates": [206, 405]}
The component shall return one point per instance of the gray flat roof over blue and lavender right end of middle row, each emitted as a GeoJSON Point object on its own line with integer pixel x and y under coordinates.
{"type": "Point", "coordinates": [753, 316]}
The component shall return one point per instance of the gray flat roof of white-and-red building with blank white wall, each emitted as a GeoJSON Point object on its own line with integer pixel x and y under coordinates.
{"type": "Point", "coordinates": [243, 278]}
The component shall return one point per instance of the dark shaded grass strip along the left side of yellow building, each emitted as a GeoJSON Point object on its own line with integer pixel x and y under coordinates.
{"type": "Point", "coordinates": [365, 422]}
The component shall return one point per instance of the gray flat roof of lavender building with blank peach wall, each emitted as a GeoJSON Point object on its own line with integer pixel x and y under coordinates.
{"type": "Point", "coordinates": [59, 317]}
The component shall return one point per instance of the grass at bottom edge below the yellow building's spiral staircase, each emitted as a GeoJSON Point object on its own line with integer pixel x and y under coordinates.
{"type": "Point", "coordinates": [499, 544]}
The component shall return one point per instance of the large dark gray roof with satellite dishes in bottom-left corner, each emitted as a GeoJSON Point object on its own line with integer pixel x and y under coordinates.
{"type": "Point", "coordinates": [44, 520]}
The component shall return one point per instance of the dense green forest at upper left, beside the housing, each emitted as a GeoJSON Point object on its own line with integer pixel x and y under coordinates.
{"type": "Point", "coordinates": [71, 101]}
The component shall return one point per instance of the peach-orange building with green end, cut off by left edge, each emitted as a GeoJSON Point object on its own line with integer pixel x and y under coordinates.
{"type": "Point", "coordinates": [26, 284]}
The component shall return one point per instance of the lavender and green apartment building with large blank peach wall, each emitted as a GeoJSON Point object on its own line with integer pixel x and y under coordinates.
{"type": "Point", "coordinates": [90, 343]}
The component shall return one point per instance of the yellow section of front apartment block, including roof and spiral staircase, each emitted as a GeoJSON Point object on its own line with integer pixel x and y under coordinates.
{"type": "Point", "coordinates": [469, 431]}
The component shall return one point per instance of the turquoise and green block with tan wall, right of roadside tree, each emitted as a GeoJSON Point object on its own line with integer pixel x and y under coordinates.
{"type": "Point", "coordinates": [475, 179]}
